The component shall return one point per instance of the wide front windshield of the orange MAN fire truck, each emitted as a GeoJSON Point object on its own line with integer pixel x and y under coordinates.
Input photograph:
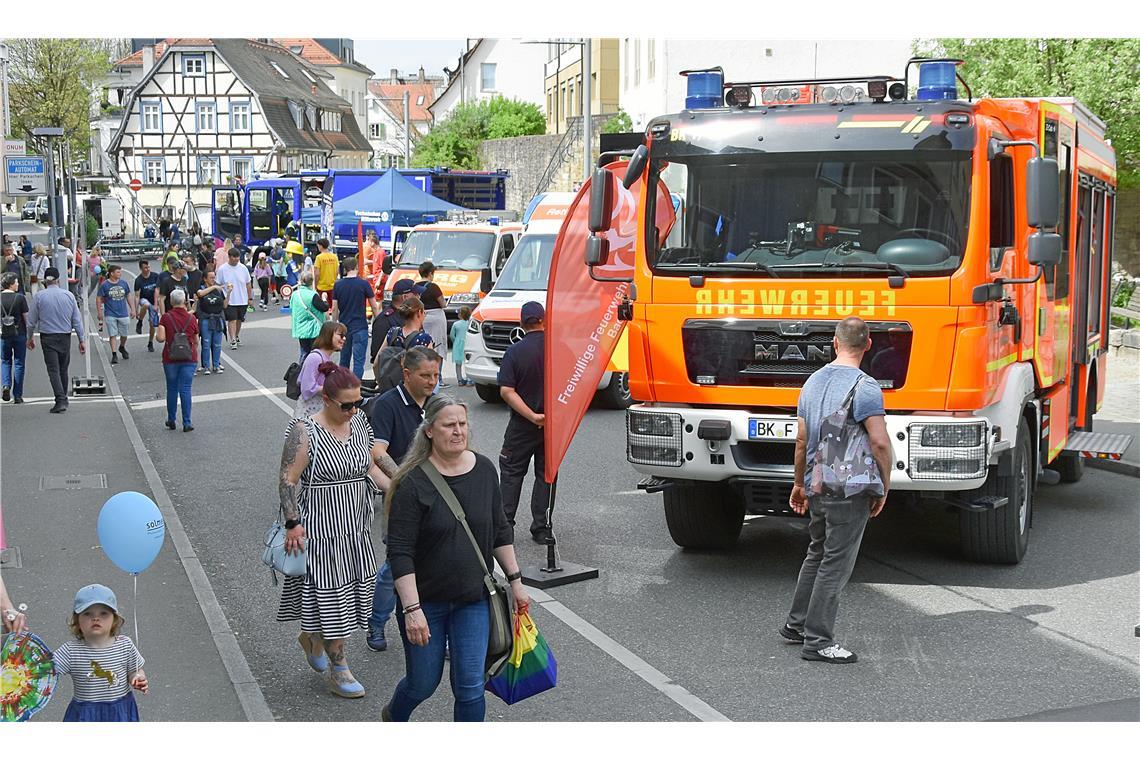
{"type": "Point", "coordinates": [832, 215]}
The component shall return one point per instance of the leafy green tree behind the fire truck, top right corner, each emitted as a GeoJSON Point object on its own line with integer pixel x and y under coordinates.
{"type": "Point", "coordinates": [1103, 75]}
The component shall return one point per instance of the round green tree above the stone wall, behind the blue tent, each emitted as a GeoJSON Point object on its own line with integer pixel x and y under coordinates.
{"type": "Point", "coordinates": [455, 141]}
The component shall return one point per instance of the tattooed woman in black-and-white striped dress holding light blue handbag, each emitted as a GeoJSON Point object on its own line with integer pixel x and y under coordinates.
{"type": "Point", "coordinates": [329, 480]}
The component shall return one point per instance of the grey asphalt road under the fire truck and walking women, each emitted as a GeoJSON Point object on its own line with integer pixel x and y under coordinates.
{"type": "Point", "coordinates": [672, 635]}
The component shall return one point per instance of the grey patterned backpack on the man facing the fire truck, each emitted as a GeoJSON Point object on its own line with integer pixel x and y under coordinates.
{"type": "Point", "coordinates": [844, 465]}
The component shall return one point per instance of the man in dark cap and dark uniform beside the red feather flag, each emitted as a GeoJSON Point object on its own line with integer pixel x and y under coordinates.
{"type": "Point", "coordinates": [522, 386]}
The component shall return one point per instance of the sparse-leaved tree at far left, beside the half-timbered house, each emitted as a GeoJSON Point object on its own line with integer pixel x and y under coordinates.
{"type": "Point", "coordinates": [52, 83]}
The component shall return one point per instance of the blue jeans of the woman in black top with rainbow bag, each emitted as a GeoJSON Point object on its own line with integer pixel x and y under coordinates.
{"type": "Point", "coordinates": [466, 627]}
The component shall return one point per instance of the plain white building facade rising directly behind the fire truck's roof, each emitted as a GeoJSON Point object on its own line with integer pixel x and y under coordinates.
{"type": "Point", "coordinates": [652, 85]}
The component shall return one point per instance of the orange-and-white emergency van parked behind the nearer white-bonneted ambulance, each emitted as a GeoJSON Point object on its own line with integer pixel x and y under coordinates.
{"type": "Point", "coordinates": [469, 257]}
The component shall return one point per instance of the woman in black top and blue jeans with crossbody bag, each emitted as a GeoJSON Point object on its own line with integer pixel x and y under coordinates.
{"type": "Point", "coordinates": [438, 576]}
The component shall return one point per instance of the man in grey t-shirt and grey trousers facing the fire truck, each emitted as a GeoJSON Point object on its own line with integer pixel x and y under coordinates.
{"type": "Point", "coordinates": [836, 527]}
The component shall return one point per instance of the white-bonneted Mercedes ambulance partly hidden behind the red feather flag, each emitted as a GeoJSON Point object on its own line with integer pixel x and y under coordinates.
{"type": "Point", "coordinates": [496, 324]}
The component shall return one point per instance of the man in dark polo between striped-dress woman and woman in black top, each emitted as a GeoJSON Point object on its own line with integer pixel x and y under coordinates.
{"type": "Point", "coordinates": [395, 418]}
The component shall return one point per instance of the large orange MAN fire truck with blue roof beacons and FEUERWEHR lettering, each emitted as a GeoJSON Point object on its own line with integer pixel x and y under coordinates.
{"type": "Point", "coordinates": [975, 236]}
